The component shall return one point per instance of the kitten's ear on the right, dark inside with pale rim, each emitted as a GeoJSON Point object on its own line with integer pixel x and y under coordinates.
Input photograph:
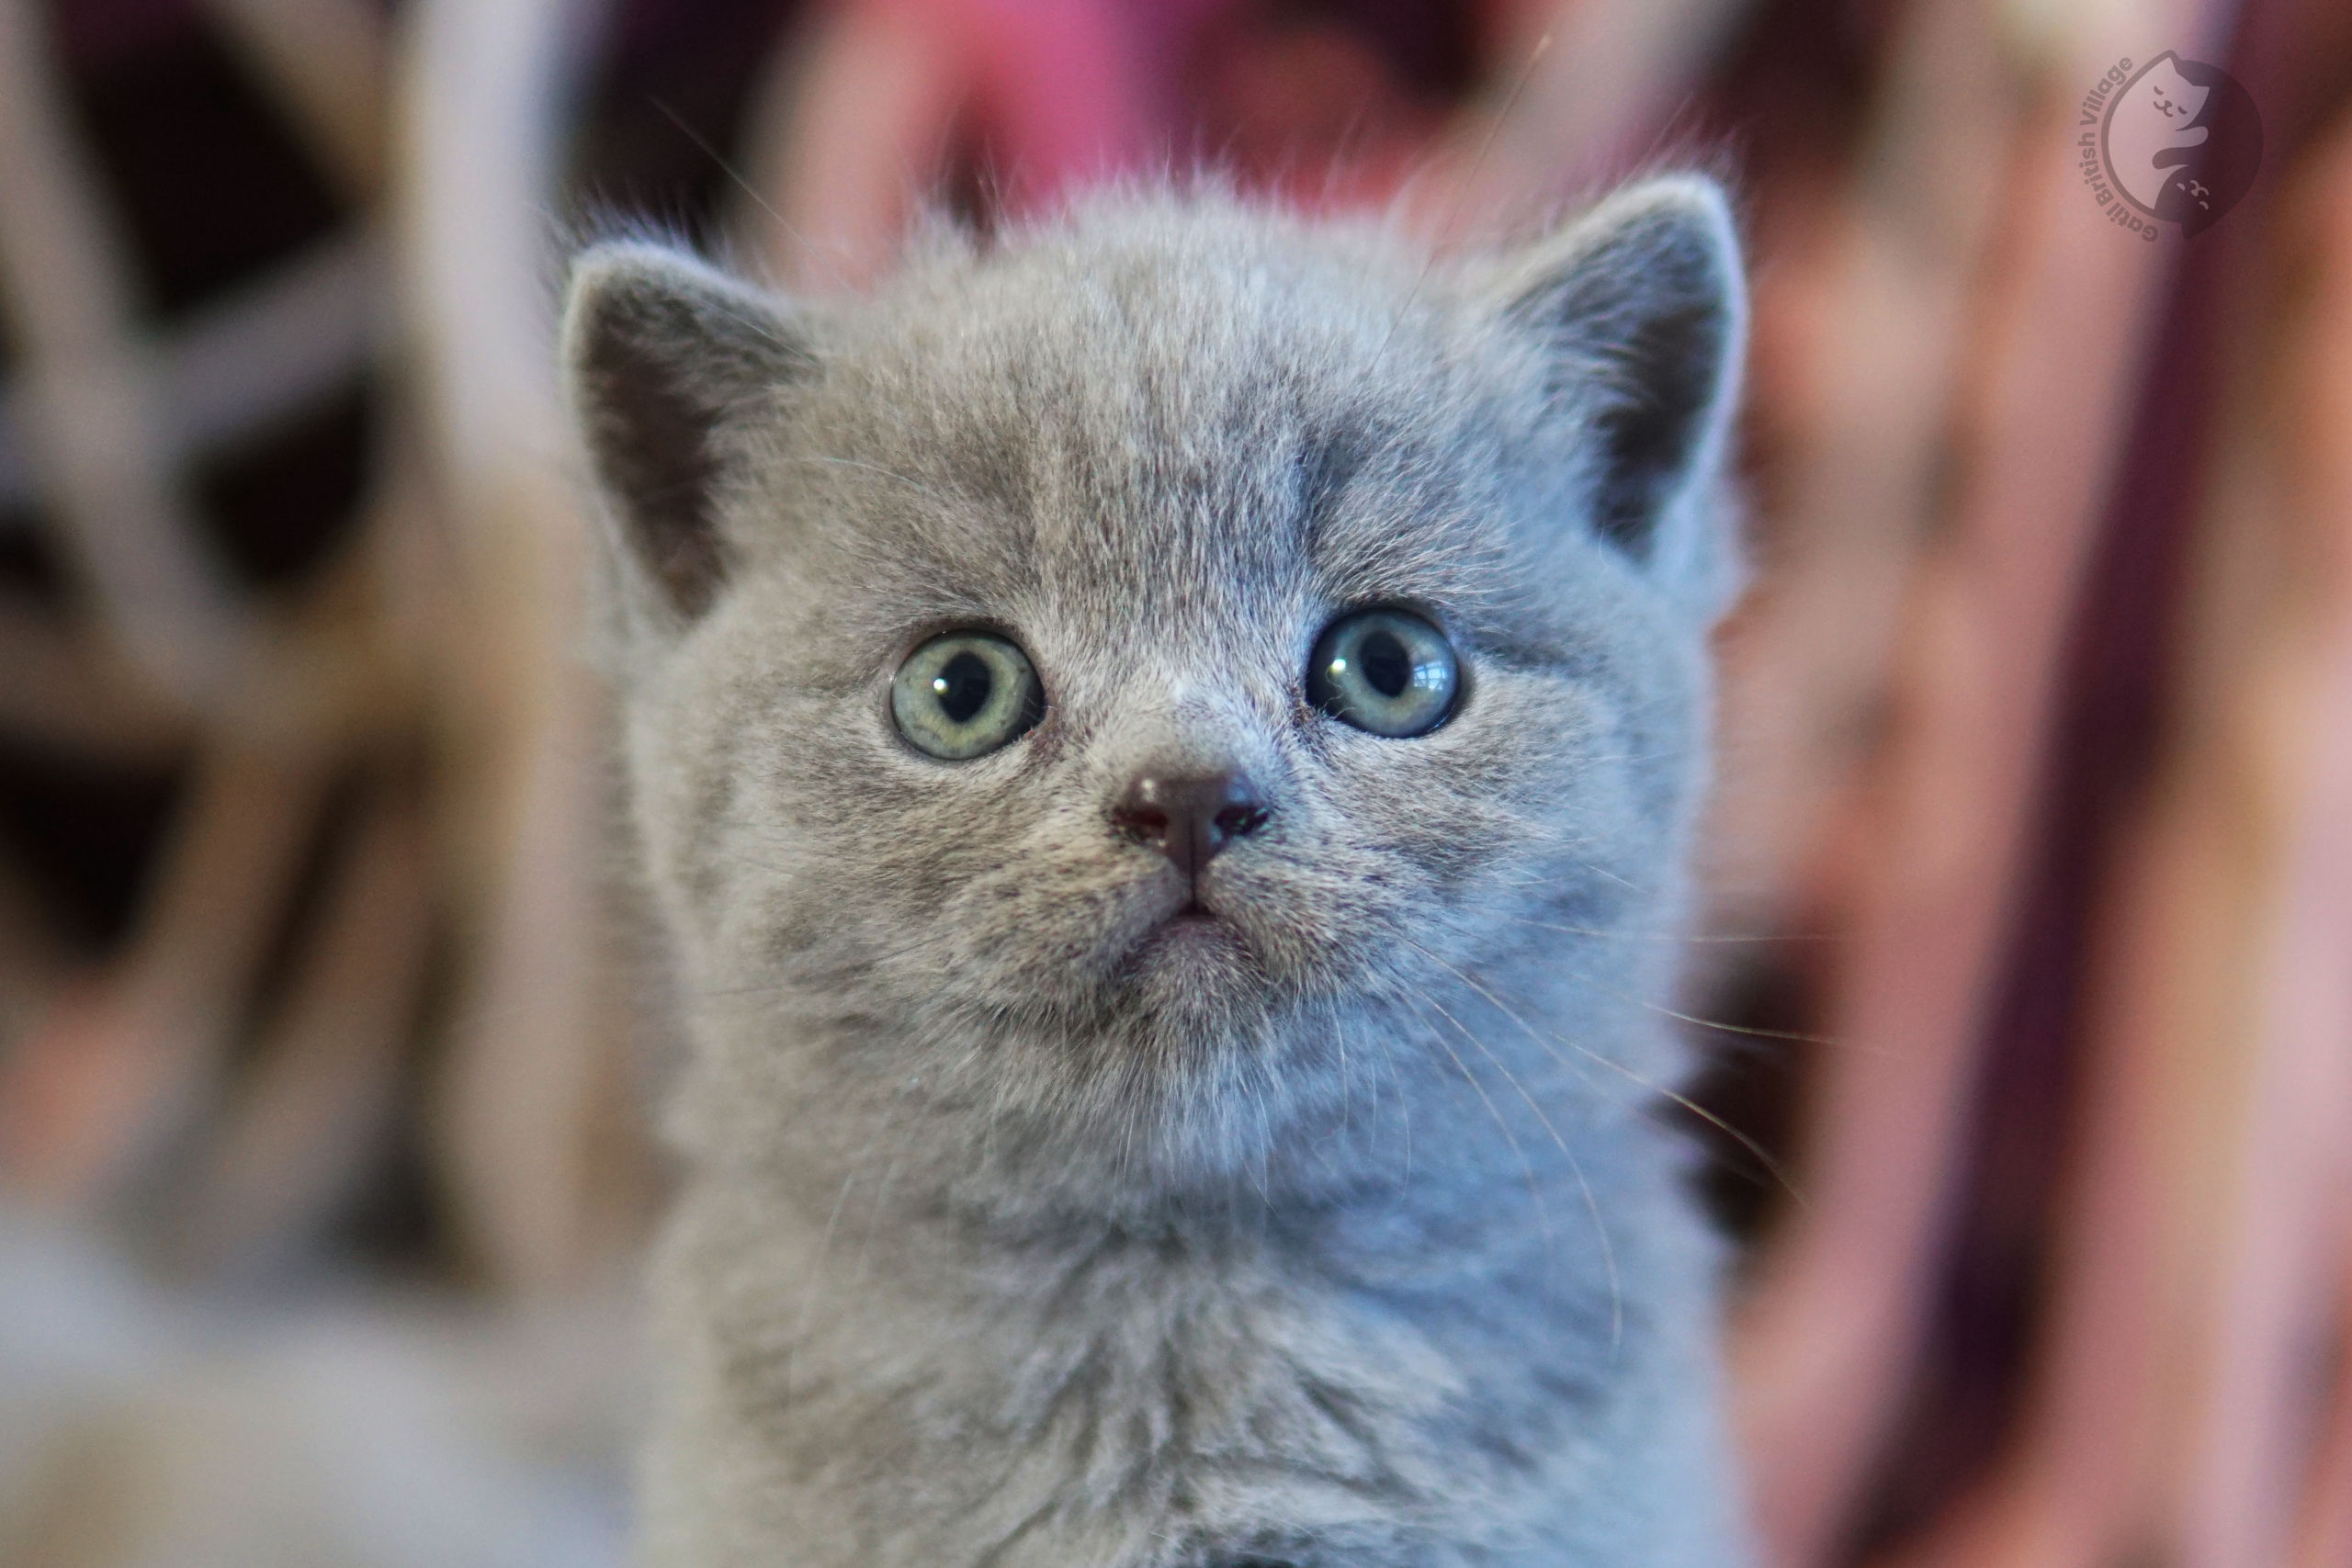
{"type": "Point", "coordinates": [1643, 311]}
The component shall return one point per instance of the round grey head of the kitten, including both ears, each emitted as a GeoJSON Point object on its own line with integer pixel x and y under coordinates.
{"type": "Point", "coordinates": [1102, 676]}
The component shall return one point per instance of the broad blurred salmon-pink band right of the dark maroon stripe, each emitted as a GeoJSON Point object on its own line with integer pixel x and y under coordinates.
{"type": "Point", "coordinates": [2205, 1219]}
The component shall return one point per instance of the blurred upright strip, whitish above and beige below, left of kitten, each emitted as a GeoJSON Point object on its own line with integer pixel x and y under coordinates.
{"type": "Point", "coordinates": [523, 815]}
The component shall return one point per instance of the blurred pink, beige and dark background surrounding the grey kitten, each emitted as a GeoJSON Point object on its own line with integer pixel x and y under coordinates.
{"type": "Point", "coordinates": [326, 1031]}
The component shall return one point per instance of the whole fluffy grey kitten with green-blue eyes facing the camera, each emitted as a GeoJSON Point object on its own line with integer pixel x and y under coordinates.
{"type": "Point", "coordinates": [1165, 749]}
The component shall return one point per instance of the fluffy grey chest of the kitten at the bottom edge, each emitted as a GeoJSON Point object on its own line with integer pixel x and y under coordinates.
{"type": "Point", "coordinates": [1130, 1393]}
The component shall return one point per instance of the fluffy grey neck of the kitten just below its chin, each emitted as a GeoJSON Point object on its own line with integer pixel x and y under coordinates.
{"type": "Point", "coordinates": [1417, 1123]}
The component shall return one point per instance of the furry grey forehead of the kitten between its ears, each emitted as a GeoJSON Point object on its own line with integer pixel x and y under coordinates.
{"type": "Point", "coordinates": [1194, 424]}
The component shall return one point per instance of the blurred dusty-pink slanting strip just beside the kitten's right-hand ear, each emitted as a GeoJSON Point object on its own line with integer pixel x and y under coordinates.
{"type": "Point", "coordinates": [1883, 330]}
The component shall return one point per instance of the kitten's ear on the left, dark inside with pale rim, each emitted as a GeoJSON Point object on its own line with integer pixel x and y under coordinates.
{"type": "Point", "coordinates": [660, 359]}
